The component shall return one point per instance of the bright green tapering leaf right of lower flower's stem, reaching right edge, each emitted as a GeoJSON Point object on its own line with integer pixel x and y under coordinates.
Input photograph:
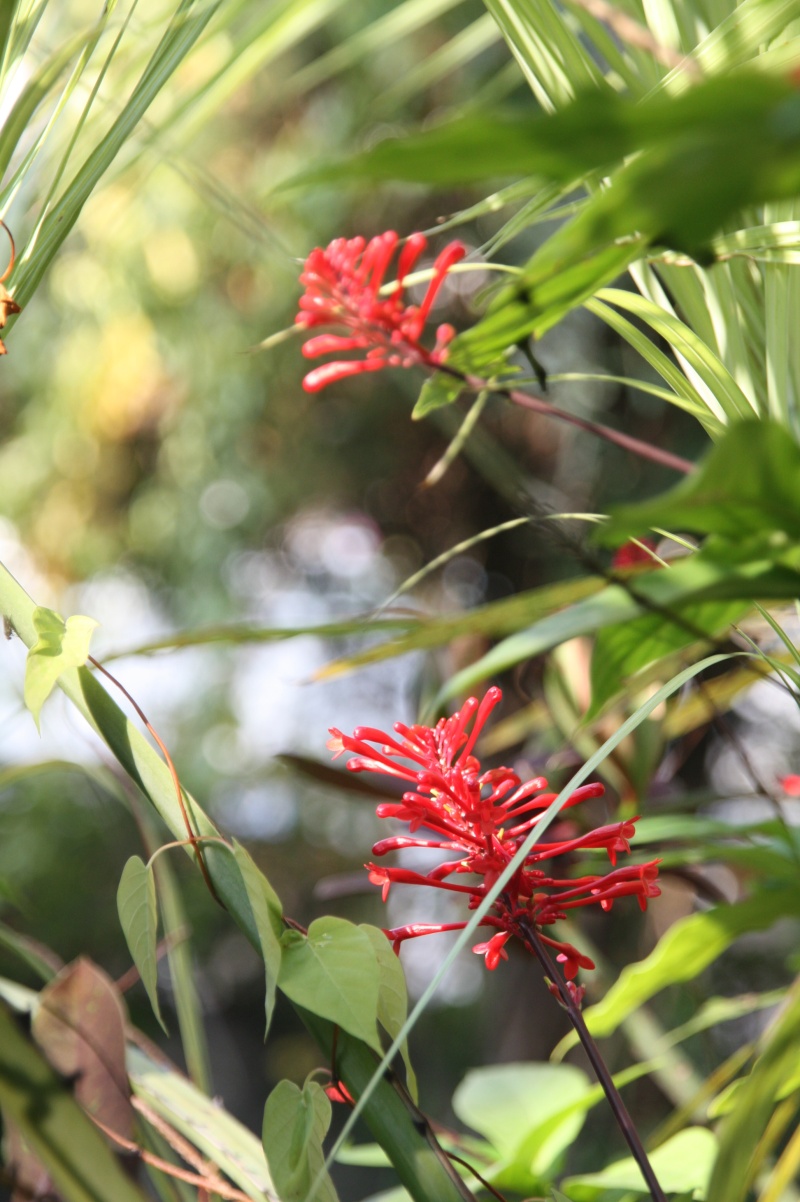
{"type": "Point", "coordinates": [685, 951]}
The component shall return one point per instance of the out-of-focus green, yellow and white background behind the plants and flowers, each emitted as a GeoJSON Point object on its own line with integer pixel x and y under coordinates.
{"type": "Point", "coordinates": [160, 473]}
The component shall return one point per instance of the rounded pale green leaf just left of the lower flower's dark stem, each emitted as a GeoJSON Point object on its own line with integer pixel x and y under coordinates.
{"type": "Point", "coordinates": [512, 1105]}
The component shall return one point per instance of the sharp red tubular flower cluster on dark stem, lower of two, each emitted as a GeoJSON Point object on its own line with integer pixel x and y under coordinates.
{"type": "Point", "coordinates": [485, 818]}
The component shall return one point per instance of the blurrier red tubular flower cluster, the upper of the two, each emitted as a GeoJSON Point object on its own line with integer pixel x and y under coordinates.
{"type": "Point", "coordinates": [343, 288]}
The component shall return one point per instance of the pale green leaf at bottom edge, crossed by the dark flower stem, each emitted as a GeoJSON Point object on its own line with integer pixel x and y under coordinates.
{"type": "Point", "coordinates": [682, 1164]}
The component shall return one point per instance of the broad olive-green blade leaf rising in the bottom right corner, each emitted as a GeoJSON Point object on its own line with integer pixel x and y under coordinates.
{"type": "Point", "coordinates": [744, 1128]}
